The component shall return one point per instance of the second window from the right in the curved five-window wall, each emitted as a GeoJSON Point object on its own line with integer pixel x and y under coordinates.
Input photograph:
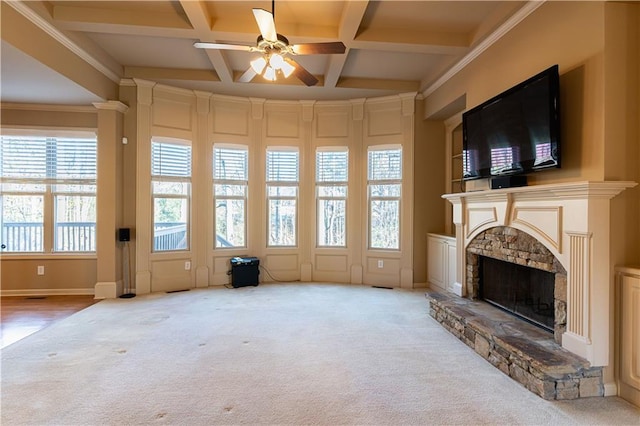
{"type": "Point", "coordinates": [332, 175]}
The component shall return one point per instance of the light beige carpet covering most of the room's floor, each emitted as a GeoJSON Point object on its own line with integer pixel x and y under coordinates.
{"type": "Point", "coordinates": [274, 354]}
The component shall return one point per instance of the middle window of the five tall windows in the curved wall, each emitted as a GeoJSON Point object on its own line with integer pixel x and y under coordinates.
{"type": "Point", "coordinates": [282, 196]}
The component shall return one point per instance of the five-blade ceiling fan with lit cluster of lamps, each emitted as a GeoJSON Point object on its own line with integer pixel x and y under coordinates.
{"type": "Point", "coordinates": [277, 51]}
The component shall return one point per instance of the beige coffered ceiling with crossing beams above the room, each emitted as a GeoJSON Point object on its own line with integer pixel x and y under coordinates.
{"type": "Point", "coordinates": [391, 46]}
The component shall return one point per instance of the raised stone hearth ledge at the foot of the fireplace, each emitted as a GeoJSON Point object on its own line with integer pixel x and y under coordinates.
{"type": "Point", "coordinates": [520, 350]}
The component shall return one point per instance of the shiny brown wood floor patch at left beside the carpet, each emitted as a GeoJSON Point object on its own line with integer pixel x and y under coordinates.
{"type": "Point", "coordinates": [21, 316]}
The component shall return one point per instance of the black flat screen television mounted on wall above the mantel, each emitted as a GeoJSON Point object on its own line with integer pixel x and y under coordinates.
{"type": "Point", "coordinates": [515, 132]}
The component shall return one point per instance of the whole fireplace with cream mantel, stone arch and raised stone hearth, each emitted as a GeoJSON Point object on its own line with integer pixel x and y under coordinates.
{"type": "Point", "coordinates": [561, 228]}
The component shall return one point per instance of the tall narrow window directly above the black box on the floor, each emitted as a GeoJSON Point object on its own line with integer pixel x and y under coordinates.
{"type": "Point", "coordinates": [230, 179]}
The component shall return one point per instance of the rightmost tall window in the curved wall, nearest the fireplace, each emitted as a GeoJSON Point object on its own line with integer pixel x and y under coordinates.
{"type": "Point", "coordinates": [384, 182]}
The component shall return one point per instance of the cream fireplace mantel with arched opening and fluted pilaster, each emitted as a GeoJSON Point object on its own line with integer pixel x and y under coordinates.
{"type": "Point", "coordinates": [572, 221]}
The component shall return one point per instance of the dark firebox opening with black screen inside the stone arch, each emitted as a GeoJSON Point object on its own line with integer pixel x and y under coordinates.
{"type": "Point", "coordinates": [520, 290]}
